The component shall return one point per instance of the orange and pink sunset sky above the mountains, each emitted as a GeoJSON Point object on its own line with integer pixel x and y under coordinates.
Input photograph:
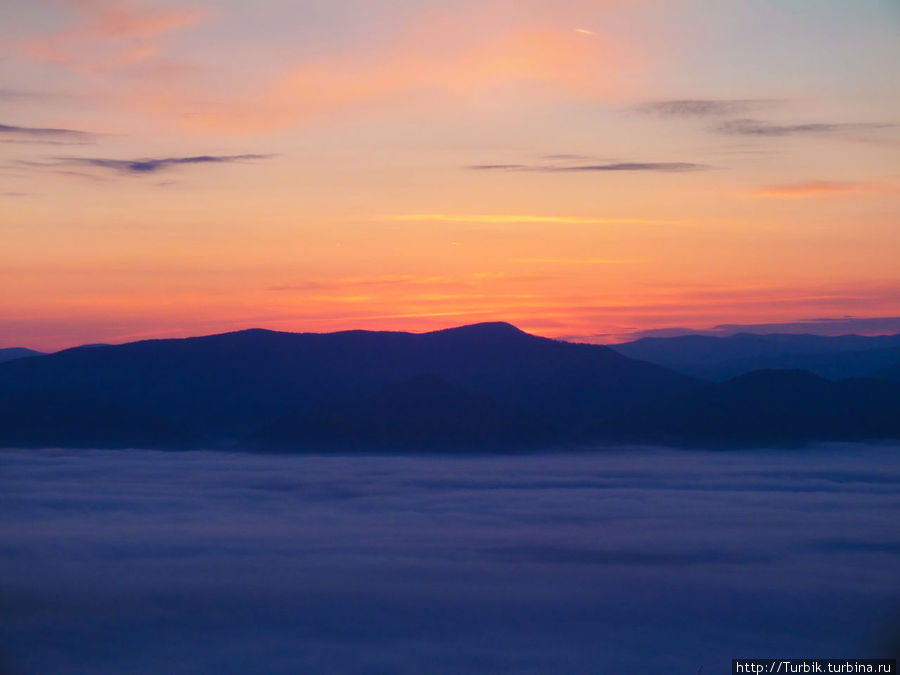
{"type": "Point", "coordinates": [588, 169]}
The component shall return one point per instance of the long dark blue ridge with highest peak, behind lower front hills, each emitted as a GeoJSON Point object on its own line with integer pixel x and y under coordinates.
{"type": "Point", "coordinates": [224, 388]}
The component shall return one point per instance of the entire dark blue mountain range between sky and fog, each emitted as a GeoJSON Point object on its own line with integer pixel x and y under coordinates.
{"type": "Point", "coordinates": [486, 386]}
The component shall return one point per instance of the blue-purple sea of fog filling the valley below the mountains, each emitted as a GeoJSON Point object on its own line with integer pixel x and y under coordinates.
{"type": "Point", "coordinates": [618, 561]}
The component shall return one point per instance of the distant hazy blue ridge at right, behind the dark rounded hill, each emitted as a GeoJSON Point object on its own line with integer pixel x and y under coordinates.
{"type": "Point", "coordinates": [720, 358]}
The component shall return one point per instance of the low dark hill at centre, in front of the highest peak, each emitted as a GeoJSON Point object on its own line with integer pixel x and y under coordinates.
{"type": "Point", "coordinates": [420, 413]}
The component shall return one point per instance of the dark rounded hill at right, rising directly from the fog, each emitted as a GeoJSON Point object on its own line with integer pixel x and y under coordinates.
{"type": "Point", "coordinates": [769, 406]}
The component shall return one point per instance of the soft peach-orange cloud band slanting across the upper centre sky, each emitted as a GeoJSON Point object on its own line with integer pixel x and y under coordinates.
{"type": "Point", "coordinates": [533, 60]}
